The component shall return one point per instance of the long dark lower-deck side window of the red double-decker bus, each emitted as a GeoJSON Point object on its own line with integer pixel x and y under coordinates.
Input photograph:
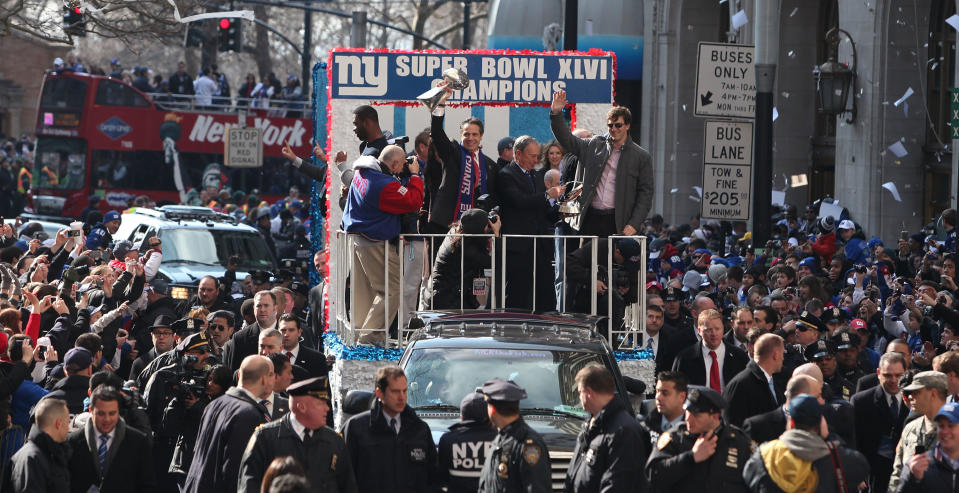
{"type": "Point", "coordinates": [137, 170]}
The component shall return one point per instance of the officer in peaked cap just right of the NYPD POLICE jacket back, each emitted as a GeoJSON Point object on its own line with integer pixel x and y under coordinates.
{"type": "Point", "coordinates": [519, 460]}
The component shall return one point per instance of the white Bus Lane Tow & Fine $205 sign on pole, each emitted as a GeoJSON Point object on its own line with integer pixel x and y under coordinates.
{"type": "Point", "coordinates": [727, 166]}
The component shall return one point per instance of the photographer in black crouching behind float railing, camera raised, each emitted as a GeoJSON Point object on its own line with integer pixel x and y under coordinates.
{"type": "Point", "coordinates": [451, 287]}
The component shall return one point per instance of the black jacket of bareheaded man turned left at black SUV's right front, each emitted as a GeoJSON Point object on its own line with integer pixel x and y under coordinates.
{"type": "Point", "coordinates": [608, 453]}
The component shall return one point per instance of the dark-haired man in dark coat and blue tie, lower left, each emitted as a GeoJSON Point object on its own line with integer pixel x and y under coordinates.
{"type": "Point", "coordinates": [108, 454]}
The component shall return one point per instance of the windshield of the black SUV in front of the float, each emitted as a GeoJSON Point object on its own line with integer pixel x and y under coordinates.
{"type": "Point", "coordinates": [443, 376]}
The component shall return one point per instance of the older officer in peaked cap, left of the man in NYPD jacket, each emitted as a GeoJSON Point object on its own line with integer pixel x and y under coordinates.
{"type": "Point", "coordinates": [303, 435]}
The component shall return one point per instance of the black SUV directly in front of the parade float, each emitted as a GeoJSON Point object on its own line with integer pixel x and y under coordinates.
{"type": "Point", "coordinates": [455, 352]}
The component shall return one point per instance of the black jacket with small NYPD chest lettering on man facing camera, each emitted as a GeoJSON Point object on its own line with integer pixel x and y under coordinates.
{"type": "Point", "coordinates": [385, 461]}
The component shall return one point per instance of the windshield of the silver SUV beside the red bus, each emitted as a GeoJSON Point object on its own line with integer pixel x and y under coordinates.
{"type": "Point", "coordinates": [214, 247]}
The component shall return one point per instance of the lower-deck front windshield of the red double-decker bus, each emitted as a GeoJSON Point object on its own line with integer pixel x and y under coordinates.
{"type": "Point", "coordinates": [59, 163]}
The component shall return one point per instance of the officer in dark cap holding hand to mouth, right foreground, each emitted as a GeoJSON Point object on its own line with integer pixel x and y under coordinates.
{"type": "Point", "coordinates": [701, 454]}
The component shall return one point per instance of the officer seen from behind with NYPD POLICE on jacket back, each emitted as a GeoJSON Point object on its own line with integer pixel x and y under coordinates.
{"type": "Point", "coordinates": [463, 449]}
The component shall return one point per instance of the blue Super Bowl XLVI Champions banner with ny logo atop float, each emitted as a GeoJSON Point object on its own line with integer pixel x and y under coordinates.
{"type": "Point", "coordinates": [495, 77]}
